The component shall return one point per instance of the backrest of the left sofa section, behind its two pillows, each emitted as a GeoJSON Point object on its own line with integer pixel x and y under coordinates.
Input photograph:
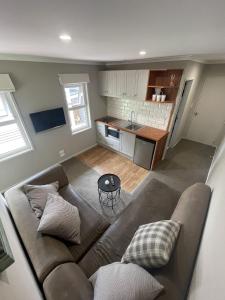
{"type": "Point", "coordinates": [44, 251]}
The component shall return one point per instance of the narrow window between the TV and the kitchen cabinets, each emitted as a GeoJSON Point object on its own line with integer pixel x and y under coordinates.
{"type": "Point", "coordinates": [78, 107]}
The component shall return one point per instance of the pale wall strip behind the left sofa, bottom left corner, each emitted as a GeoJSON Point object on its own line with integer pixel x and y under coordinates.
{"type": "Point", "coordinates": [17, 282]}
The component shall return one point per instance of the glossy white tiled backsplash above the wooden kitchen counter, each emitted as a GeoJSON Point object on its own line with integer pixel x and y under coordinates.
{"type": "Point", "coordinates": [146, 113]}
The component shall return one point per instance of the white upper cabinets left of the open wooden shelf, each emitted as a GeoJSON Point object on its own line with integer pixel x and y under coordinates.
{"type": "Point", "coordinates": [131, 84]}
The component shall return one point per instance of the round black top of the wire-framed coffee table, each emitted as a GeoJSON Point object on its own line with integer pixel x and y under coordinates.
{"type": "Point", "coordinates": [109, 182]}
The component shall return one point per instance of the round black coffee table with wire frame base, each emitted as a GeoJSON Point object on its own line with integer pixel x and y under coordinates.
{"type": "Point", "coordinates": [109, 190]}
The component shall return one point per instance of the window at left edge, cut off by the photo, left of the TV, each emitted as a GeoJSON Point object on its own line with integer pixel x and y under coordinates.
{"type": "Point", "coordinates": [13, 138]}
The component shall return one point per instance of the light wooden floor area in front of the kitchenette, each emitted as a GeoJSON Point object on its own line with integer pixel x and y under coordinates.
{"type": "Point", "coordinates": [104, 161]}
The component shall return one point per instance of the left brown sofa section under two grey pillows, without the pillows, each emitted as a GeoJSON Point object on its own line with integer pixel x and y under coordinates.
{"type": "Point", "coordinates": [46, 252]}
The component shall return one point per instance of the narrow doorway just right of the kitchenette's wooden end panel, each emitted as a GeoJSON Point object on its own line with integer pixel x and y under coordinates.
{"type": "Point", "coordinates": [176, 126]}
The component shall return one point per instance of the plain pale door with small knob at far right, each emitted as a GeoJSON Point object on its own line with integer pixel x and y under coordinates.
{"type": "Point", "coordinates": [208, 125]}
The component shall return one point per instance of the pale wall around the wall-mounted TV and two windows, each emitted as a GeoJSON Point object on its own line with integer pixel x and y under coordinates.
{"type": "Point", "coordinates": [37, 88]}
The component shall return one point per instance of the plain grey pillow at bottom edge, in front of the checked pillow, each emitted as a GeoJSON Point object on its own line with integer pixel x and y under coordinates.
{"type": "Point", "coordinates": [119, 281]}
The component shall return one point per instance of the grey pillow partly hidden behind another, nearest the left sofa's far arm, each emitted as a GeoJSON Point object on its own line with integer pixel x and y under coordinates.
{"type": "Point", "coordinates": [37, 195]}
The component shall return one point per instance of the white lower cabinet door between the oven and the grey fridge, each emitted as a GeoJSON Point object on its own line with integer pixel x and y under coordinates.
{"type": "Point", "coordinates": [127, 142]}
